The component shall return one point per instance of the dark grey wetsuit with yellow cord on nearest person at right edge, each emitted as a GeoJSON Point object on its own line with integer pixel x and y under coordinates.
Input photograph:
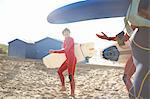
{"type": "Point", "coordinates": [141, 58]}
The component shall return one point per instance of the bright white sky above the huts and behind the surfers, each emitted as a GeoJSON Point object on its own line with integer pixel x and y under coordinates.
{"type": "Point", "coordinates": [27, 20]}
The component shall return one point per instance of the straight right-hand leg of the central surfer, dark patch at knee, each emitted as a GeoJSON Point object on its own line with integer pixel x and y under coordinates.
{"type": "Point", "coordinates": [71, 71]}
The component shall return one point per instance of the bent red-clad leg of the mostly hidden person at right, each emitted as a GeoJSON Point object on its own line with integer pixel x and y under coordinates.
{"type": "Point", "coordinates": [129, 71]}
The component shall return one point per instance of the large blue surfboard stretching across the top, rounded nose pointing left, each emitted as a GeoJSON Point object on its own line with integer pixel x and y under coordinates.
{"type": "Point", "coordinates": [88, 10]}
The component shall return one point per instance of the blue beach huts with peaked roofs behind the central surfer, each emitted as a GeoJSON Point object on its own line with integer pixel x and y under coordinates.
{"type": "Point", "coordinates": [20, 49]}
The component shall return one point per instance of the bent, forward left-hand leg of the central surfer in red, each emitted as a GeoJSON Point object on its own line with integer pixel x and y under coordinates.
{"type": "Point", "coordinates": [60, 73]}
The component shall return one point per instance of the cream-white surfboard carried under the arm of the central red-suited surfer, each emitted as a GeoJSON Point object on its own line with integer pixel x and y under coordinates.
{"type": "Point", "coordinates": [55, 60]}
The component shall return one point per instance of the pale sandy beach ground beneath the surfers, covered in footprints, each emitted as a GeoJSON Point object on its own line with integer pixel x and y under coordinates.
{"type": "Point", "coordinates": [30, 79]}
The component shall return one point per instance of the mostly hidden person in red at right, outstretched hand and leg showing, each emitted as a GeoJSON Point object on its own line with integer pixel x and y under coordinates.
{"type": "Point", "coordinates": [129, 67]}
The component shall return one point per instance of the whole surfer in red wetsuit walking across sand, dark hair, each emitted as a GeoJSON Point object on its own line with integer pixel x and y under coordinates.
{"type": "Point", "coordinates": [70, 63]}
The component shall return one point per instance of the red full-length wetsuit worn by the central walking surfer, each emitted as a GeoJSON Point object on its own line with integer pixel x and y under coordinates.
{"type": "Point", "coordinates": [70, 62]}
